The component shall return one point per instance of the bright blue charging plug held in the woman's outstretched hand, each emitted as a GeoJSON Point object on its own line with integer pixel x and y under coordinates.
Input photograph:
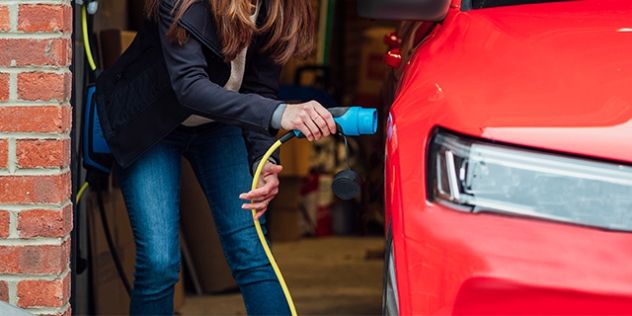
{"type": "Point", "coordinates": [352, 121]}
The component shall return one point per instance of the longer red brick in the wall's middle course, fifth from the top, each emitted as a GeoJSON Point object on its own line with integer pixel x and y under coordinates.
{"type": "Point", "coordinates": [33, 153]}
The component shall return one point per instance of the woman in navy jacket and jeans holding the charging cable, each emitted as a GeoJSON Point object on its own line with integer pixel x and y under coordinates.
{"type": "Point", "coordinates": [199, 81]}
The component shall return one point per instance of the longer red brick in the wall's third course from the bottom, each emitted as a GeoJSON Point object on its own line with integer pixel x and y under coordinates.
{"type": "Point", "coordinates": [45, 223]}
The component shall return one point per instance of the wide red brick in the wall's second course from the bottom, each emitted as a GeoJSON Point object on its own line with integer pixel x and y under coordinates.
{"type": "Point", "coordinates": [40, 259]}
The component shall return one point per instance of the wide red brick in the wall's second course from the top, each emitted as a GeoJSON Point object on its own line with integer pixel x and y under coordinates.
{"type": "Point", "coordinates": [52, 52]}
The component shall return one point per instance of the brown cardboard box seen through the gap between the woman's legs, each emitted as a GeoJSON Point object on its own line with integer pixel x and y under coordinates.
{"type": "Point", "coordinates": [201, 236]}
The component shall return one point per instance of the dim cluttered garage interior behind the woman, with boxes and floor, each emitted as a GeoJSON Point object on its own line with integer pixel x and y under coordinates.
{"type": "Point", "coordinates": [330, 251]}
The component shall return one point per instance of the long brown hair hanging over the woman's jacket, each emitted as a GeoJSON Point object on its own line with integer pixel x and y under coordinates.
{"type": "Point", "coordinates": [289, 26]}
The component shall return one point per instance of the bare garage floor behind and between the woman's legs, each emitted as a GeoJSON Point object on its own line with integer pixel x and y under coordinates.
{"type": "Point", "coordinates": [326, 276]}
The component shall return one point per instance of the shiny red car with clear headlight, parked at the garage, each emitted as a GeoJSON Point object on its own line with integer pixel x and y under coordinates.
{"type": "Point", "coordinates": [509, 159]}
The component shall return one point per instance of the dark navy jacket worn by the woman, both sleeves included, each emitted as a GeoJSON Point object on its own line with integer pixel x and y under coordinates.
{"type": "Point", "coordinates": [155, 85]}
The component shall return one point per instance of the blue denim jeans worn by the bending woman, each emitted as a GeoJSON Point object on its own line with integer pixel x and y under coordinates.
{"type": "Point", "coordinates": [151, 189]}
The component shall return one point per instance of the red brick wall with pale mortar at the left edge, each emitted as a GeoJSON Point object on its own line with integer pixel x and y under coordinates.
{"type": "Point", "coordinates": [35, 178]}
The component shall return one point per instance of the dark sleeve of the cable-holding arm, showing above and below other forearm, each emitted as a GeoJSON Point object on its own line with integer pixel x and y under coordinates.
{"type": "Point", "coordinates": [261, 76]}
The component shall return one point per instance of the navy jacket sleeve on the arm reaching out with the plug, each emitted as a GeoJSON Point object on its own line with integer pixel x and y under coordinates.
{"type": "Point", "coordinates": [187, 66]}
